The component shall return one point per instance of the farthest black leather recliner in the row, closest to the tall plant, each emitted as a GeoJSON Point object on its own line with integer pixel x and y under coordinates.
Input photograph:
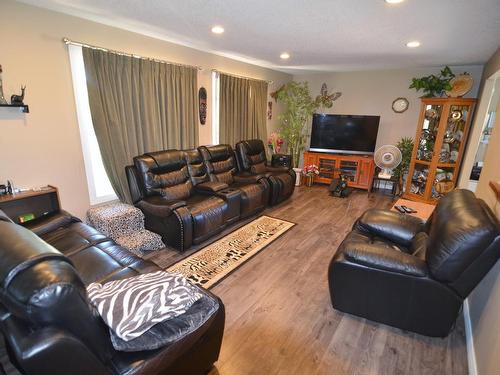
{"type": "Point", "coordinates": [252, 159]}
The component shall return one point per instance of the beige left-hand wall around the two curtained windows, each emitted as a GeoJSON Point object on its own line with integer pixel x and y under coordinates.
{"type": "Point", "coordinates": [43, 147]}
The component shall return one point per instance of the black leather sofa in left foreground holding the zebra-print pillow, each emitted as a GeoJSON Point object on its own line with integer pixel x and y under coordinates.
{"type": "Point", "coordinates": [46, 320]}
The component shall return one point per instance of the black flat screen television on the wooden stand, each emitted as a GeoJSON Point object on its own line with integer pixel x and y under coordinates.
{"type": "Point", "coordinates": [347, 134]}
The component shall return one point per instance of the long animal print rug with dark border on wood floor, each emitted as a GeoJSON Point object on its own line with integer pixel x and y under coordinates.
{"type": "Point", "coordinates": [209, 265]}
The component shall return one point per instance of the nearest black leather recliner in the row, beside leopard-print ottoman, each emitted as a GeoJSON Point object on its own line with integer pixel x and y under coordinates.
{"type": "Point", "coordinates": [177, 205]}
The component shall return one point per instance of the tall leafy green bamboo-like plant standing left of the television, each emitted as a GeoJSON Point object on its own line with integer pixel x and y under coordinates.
{"type": "Point", "coordinates": [295, 120]}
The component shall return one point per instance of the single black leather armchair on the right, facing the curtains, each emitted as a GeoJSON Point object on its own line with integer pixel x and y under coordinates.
{"type": "Point", "coordinates": [394, 269]}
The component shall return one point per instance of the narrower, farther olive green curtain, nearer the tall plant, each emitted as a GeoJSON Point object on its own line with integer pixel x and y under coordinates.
{"type": "Point", "coordinates": [242, 109]}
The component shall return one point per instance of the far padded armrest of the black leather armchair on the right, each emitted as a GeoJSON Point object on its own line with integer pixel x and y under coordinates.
{"type": "Point", "coordinates": [396, 227]}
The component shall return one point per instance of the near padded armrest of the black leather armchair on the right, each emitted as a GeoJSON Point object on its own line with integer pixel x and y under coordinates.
{"type": "Point", "coordinates": [383, 258]}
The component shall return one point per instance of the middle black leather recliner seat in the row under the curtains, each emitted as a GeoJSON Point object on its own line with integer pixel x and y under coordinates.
{"type": "Point", "coordinates": [221, 166]}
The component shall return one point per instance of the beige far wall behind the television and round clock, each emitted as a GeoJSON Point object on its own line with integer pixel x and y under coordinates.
{"type": "Point", "coordinates": [372, 93]}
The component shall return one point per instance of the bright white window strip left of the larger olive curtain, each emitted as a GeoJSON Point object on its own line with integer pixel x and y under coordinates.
{"type": "Point", "coordinates": [100, 189]}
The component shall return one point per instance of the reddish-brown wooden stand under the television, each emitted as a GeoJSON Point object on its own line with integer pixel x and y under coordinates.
{"type": "Point", "coordinates": [359, 168]}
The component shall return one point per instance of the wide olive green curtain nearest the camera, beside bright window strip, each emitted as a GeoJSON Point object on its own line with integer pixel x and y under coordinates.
{"type": "Point", "coordinates": [139, 106]}
